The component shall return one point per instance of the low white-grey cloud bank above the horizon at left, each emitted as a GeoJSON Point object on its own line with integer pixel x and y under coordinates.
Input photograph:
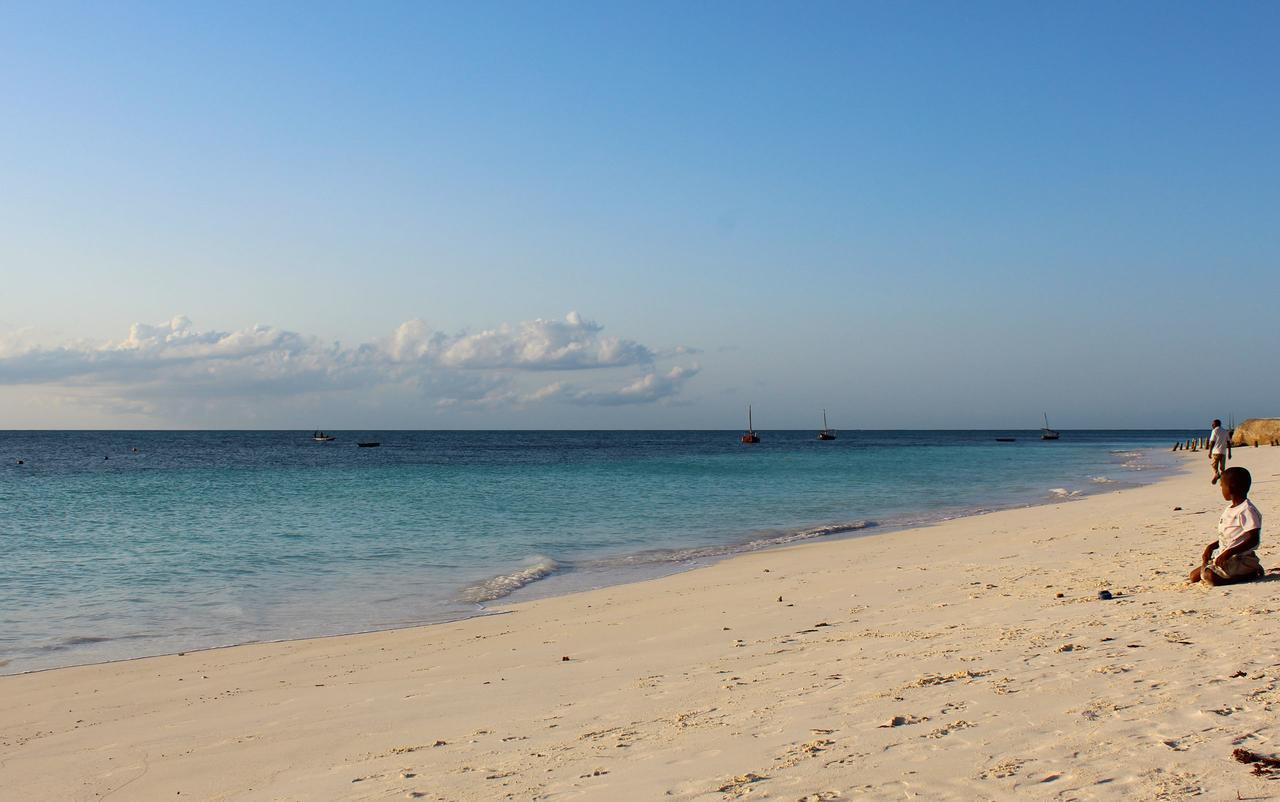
{"type": "Point", "coordinates": [176, 373]}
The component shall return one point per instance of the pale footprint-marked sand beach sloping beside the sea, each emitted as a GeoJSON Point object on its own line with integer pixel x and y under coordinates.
{"type": "Point", "coordinates": [964, 661]}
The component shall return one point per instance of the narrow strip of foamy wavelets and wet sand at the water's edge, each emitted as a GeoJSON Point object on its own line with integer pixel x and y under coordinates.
{"type": "Point", "coordinates": [620, 570]}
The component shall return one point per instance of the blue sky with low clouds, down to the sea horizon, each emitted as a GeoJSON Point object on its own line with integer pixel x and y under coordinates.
{"type": "Point", "coordinates": [646, 216]}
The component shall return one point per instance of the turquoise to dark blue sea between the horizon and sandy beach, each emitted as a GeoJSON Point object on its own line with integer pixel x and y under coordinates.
{"type": "Point", "coordinates": [125, 544]}
